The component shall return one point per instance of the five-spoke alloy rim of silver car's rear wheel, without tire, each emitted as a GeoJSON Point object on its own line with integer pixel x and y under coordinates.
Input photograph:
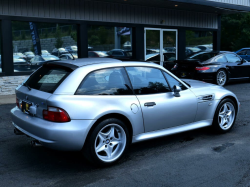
{"type": "Point", "coordinates": [110, 142]}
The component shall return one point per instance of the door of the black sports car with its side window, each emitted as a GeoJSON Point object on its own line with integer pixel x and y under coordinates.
{"type": "Point", "coordinates": [235, 67]}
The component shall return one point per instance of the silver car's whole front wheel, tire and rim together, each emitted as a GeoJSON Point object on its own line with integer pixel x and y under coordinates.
{"type": "Point", "coordinates": [223, 122]}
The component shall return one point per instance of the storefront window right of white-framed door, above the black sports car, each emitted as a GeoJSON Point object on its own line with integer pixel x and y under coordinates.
{"type": "Point", "coordinates": [198, 41]}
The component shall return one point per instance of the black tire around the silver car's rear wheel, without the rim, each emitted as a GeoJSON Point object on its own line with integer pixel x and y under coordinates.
{"type": "Point", "coordinates": [89, 148]}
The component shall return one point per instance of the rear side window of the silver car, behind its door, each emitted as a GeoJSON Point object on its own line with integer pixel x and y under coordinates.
{"type": "Point", "coordinates": [112, 81]}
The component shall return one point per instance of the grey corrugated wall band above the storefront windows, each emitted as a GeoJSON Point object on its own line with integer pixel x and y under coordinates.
{"type": "Point", "coordinates": [108, 12]}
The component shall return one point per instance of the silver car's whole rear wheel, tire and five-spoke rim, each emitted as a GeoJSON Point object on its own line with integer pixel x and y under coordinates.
{"type": "Point", "coordinates": [107, 143]}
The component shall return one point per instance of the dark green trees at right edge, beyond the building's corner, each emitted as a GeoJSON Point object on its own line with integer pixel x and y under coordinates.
{"type": "Point", "coordinates": [235, 31]}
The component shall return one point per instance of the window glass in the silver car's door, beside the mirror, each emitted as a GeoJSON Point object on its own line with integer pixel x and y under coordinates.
{"type": "Point", "coordinates": [147, 80]}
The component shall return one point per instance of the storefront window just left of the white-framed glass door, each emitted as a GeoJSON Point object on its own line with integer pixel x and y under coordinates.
{"type": "Point", "coordinates": [106, 41]}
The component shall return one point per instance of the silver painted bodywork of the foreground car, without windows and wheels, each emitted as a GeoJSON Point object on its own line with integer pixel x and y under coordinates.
{"type": "Point", "coordinates": [85, 110]}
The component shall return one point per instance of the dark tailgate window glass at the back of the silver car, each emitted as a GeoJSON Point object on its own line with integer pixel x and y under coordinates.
{"type": "Point", "coordinates": [48, 78]}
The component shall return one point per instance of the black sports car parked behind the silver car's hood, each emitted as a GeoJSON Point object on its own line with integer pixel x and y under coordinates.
{"type": "Point", "coordinates": [218, 67]}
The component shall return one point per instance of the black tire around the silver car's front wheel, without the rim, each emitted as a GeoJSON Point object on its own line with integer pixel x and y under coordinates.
{"type": "Point", "coordinates": [216, 125]}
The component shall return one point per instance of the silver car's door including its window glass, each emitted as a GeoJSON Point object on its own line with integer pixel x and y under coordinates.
{"type": "Point", "coordinates": [160, 108]}
